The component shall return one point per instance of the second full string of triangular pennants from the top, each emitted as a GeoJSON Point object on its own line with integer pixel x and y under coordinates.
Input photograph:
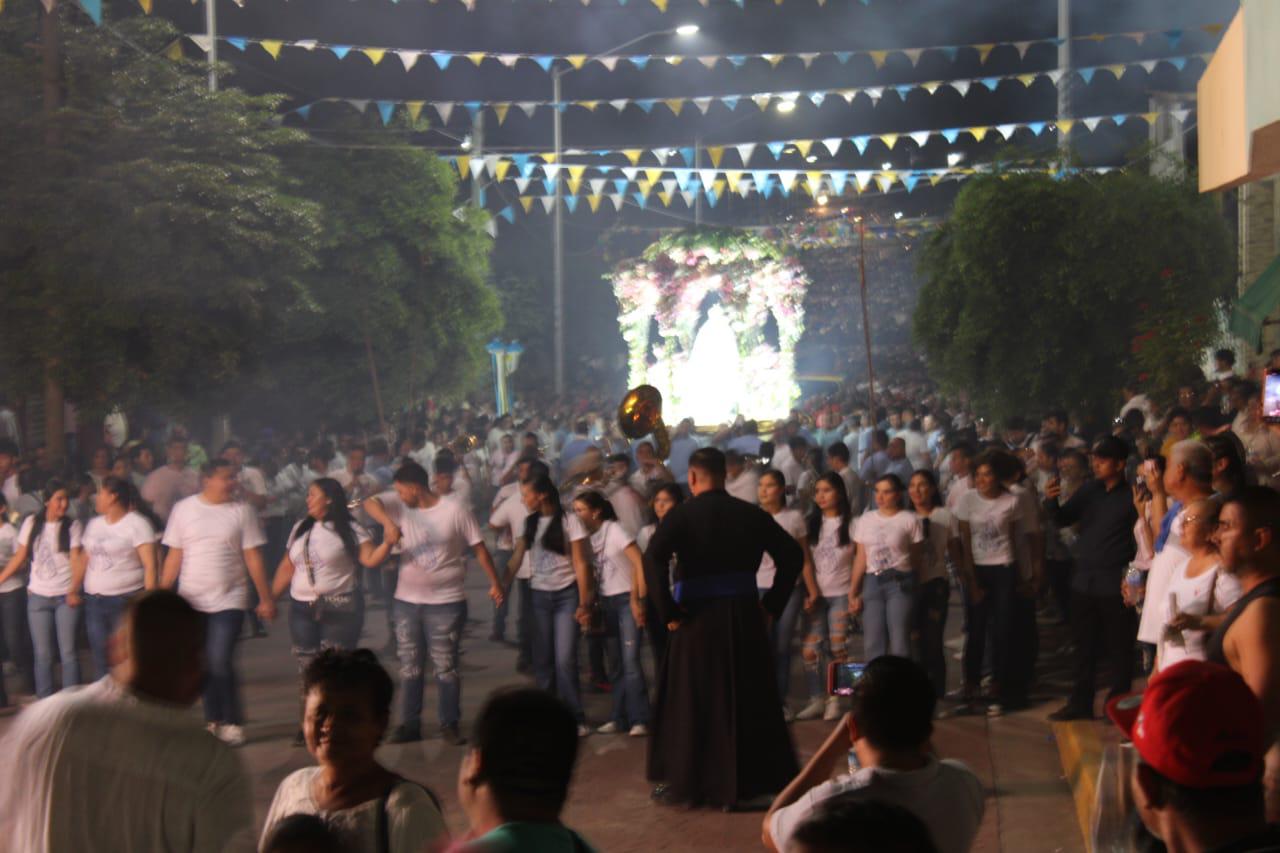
{"type": "Point", "coordinates": [762, 101]}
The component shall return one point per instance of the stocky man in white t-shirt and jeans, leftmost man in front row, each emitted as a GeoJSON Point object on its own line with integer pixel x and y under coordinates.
{"type": "Point", "coordinates": [214, 553]}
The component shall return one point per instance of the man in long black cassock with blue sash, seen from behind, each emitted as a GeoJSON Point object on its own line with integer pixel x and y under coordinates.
{"type": "Point", "coordinates": [719, 735]}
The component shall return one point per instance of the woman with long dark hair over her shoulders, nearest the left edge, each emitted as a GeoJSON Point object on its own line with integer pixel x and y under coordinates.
{"type": "Point", "coordinates": [52, 540]}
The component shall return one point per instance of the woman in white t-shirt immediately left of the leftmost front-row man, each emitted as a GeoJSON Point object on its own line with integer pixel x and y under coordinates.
{"type": "Point", "coordinates": [121, 562]}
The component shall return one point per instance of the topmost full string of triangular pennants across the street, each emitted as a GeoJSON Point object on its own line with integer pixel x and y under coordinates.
{"type": "Point", "coordinates": [442, 60]}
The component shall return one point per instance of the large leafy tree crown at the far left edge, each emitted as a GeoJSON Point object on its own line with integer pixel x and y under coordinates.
{"type": "Point", "coordinates": [144, 256]}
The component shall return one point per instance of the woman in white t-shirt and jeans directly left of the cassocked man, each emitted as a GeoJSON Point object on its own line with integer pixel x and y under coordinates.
{"type": "Point", "coordinates": [620, 580]}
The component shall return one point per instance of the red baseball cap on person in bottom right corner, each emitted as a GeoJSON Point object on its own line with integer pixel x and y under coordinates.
{"type": "Point", "coordinates": [1197, 724]}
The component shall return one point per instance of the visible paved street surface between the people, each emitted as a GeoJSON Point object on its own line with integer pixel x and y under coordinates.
{"type": "Point", "coordinates": [1030, 806]}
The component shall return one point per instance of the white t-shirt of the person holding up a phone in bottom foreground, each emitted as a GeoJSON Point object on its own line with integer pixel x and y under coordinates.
{"type": "Point", "coordinates": [947, 796]}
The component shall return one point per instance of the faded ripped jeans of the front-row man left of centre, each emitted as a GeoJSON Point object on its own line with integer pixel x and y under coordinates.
{"type": "Point", "coordinates": [433, 631]}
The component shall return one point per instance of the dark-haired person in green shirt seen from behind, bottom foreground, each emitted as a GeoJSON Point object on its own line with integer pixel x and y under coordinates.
{"type": "Point", "coordinates": [515, 779]}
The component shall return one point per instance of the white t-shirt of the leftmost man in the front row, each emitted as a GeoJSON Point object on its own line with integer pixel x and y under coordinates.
{"type": "Point", "coordinates": [214, 539]}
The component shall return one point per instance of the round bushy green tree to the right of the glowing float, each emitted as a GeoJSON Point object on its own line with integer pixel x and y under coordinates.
{"type": "Point", "coordinates": [1044, 293]}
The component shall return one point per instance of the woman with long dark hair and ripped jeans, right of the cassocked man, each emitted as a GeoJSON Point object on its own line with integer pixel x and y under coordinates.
{"type": "Point", "coordinates": [831, 542]}
